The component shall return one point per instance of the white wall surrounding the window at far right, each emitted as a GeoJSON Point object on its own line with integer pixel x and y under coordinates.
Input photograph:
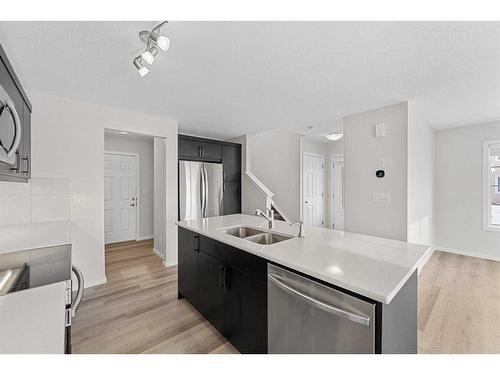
{"type": "Point", "coordinates": [458, 191]}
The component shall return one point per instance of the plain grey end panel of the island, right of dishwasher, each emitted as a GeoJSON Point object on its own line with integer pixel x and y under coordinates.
{"type": "Point", "coordinates": [399, 320]}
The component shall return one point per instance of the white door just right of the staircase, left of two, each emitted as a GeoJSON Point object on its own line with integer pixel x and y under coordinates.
{"type": "Point", "coordinates": [313, 189]}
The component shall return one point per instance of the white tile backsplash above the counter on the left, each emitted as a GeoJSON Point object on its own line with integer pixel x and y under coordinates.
{"type": "Point", "coordinates": [39, 200]}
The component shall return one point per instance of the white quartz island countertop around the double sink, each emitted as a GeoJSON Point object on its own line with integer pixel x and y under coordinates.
{"type": "Point", "coordinates": [371, 266]}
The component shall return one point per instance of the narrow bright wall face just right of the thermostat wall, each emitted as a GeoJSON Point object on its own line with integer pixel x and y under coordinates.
{"type": "Point", "coordinates": [420, 178]}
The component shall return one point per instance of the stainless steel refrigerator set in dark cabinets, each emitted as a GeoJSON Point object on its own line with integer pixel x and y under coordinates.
{"type": "Point", "coordinates": [200, 190]}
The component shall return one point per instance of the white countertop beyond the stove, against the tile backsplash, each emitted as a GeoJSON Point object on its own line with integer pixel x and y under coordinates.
{"type": "Point", "coordinates": [19, 237]}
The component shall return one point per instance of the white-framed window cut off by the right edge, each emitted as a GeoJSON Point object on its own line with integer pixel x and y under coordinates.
{"type": "Point", "coordinates": [491, 185]}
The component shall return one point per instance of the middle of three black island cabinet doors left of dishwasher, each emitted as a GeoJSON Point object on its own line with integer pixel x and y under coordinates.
{"type": "Point", "coordinates": [210, 292]}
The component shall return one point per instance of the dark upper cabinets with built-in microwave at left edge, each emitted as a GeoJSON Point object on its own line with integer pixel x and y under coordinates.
{"type": "Point", "coordinates": [15, 125]}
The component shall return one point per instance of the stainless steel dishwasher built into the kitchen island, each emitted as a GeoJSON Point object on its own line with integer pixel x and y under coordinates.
{"type": "Point", "coordinates": [308, 317]}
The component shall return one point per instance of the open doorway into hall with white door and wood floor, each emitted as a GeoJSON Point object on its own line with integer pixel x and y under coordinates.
{"type": "Point", "coordinates": [134, 194]}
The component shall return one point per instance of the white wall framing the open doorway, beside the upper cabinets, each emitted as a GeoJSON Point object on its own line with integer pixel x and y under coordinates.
{"type": "Point", "coordinates": [68, 142]}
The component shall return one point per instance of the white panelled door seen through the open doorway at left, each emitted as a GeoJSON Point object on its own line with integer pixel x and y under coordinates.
{"type": "Point", "coordinates": [120, 197]}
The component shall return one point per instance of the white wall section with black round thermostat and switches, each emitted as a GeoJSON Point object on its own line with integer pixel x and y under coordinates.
{"type": "Point", "coordinates": [361, 150]}
